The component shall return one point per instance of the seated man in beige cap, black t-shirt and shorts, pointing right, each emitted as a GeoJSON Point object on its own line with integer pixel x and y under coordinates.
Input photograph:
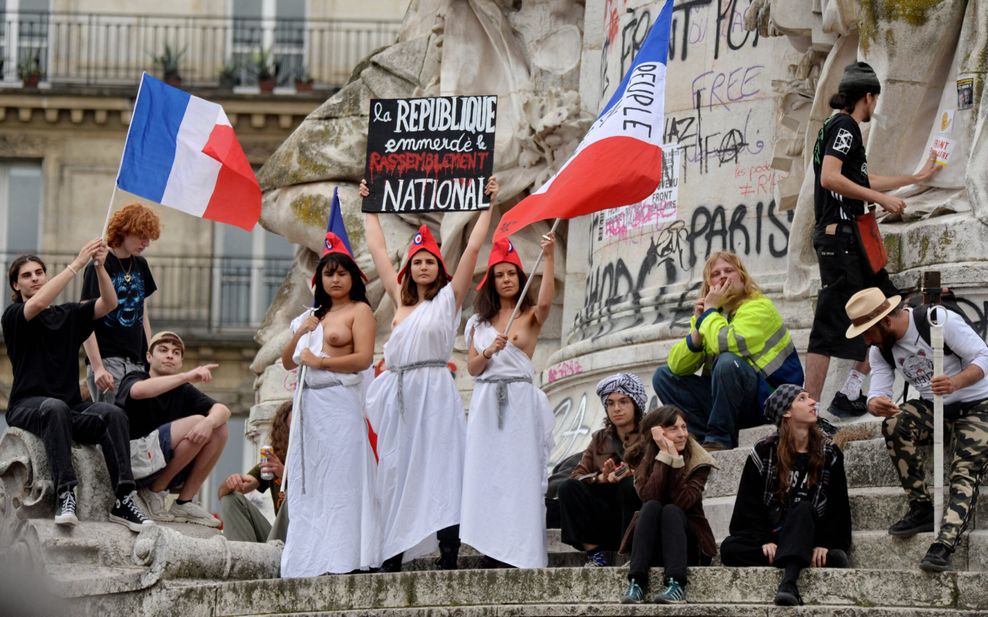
{"type": "Point", "coordinates": [173, 422]}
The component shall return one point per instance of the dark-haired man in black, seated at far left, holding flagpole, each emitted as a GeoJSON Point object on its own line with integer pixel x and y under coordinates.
{"type": "Point", "coordinates": [43, 344]}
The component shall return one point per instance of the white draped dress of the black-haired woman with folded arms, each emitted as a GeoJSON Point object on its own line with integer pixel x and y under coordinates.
{"type": "Point", "coordinates": [334, 526]}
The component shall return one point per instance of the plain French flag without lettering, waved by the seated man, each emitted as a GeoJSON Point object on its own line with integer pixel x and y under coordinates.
{"type": "Point", "coordinates": [181, 152]}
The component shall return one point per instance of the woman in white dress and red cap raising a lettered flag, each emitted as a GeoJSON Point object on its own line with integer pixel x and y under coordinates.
{"type": "Point", "coordinates": [509, 428]}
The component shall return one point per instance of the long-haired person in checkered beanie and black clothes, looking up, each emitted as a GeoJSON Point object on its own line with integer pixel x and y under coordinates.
{"type": "Point", "coordinates": [792, 509]}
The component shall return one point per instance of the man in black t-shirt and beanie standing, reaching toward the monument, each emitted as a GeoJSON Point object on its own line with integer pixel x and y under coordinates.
{"type": "Point", "coordinates": [843, 187]}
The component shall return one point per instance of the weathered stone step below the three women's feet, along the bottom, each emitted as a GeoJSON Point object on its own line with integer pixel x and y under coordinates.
{"type": "Point", "coordinates": [571, 591]}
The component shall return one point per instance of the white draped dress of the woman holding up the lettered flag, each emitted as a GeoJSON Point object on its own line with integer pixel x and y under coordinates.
{"type": "Point", "coordinates": [505, 473]}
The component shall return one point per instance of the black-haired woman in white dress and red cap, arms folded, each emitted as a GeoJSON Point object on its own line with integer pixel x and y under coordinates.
{"type": "Point", "coordinates": [330, 471]}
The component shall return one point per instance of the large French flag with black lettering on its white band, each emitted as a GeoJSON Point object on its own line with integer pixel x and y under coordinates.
{"type": "Point", "coordinates": [619, 161]}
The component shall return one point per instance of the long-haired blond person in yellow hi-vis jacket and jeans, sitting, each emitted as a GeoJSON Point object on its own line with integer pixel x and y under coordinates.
{"type": "Point", "coordinates": [738, 337]}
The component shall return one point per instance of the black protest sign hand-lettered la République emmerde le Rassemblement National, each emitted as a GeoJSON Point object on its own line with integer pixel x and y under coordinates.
{"type": "Point", "coordinates": [430, 154]}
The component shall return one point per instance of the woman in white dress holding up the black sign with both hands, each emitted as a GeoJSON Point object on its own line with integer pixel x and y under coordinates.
{"type": "Point", "coordinates": [414, 405]}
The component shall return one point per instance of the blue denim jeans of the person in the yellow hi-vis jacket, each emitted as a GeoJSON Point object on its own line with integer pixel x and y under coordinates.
{"type": "Point", "coordinates": [717, 405]}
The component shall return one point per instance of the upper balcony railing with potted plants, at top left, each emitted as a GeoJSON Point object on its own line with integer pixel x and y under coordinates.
{"type": "Point", "coordinates": [213, 51]}
